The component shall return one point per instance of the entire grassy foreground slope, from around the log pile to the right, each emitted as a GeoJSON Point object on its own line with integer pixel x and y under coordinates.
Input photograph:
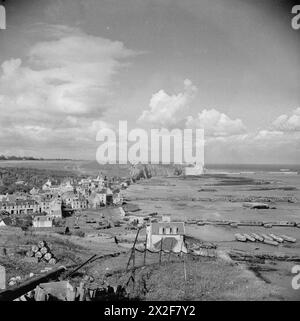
{"type": "Point", "coordinates": [204, 279]}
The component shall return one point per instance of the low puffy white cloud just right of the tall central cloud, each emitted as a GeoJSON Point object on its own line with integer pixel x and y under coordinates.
{"type": "Point", "coordinates": [216, 123]}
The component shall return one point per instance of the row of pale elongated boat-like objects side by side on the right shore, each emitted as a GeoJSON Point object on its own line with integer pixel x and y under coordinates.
{"type": "Point", "coordinates": [270, 239]}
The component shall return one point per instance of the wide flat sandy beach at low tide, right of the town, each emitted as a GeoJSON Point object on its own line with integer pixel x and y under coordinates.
{"type": "Point", "coordinates": [221, 197]}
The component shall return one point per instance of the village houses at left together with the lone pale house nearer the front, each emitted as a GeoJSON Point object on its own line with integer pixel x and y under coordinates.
{"type": "Point", "coordinates": [49, 203]}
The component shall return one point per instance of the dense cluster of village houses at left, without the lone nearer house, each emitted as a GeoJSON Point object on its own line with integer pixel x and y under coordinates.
{"type": "Point", "coordinates": [51, 201]}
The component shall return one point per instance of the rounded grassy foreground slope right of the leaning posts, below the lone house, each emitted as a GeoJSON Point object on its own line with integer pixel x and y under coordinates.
{"type": "Point", "coordinates": [199, 279]}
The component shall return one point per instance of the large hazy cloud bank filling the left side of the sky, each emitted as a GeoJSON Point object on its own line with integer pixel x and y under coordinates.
{"type": "Point", "coordinates": [60, 89]}
